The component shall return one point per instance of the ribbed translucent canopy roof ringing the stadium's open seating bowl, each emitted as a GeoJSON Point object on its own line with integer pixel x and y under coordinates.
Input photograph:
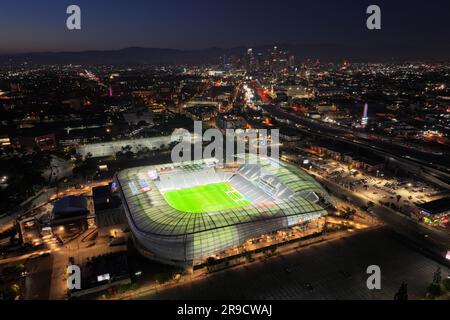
{"type": "Point", "coordinates": [151, 214]}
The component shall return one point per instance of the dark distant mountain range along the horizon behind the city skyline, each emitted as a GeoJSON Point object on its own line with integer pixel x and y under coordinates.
{"type": "Point", "coordinates": [139, 55]}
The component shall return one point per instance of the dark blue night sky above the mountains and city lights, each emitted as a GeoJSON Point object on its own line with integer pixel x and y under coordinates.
{"type": "Point", "coordinates": [39, 25]}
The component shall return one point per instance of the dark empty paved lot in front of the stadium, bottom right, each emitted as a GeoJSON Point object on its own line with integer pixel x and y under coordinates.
{"type": "Point", "coordinates": [334, 270]}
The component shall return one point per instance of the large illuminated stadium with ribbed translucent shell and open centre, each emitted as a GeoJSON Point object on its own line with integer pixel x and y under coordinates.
{"type": "Point", "coordinates": [181, 214]}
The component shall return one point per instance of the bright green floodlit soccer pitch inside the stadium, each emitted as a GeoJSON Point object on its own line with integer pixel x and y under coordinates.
{"type": "Point", "coordinates": [209, 198]}
